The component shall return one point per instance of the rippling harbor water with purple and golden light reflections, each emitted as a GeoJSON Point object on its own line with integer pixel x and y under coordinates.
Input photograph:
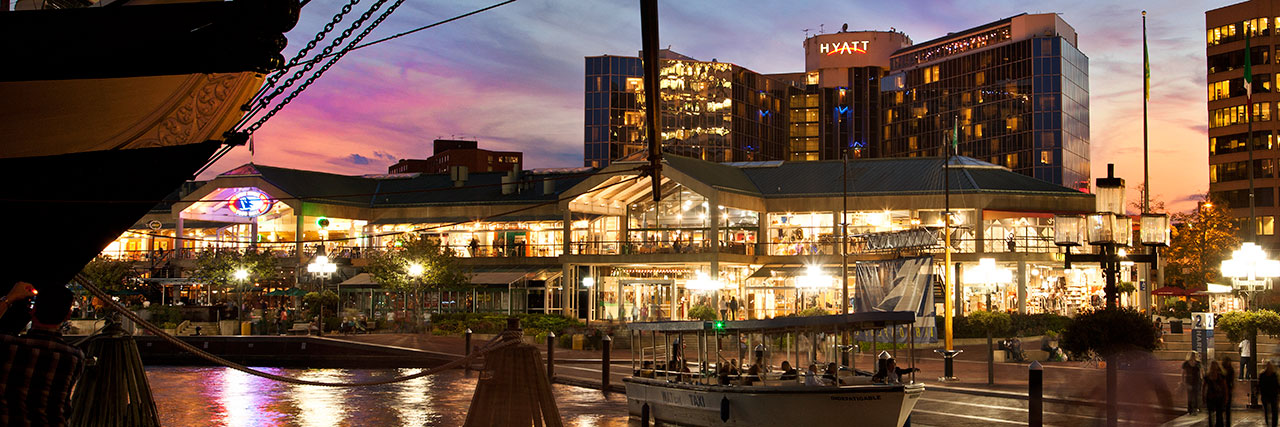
{"type": "Point", "coordinates": [225, 397]}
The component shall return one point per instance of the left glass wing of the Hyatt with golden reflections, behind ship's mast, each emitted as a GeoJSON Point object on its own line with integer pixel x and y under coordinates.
{"type": "Point", "coordinates": [711, 111]}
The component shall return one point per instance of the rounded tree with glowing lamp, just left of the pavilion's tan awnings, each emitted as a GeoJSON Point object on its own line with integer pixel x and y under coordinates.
{"type": "Point", "coordinates": [438, 267]}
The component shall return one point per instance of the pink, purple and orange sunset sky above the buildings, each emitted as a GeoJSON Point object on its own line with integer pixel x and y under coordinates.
{"type": "Point", "coordinates": [513, 77]}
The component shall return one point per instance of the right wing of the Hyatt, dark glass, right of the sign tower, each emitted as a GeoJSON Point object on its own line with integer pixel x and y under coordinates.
{"type": "Point", "coordinates": [1018, 91]}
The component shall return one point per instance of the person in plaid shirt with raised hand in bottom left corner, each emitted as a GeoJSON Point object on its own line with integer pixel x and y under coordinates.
{"type": "Point", "coordinates": [40, 369]}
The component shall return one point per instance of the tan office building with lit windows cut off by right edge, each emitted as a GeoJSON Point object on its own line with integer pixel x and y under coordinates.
{"type": "Point", "coordinates": [1228, 118]}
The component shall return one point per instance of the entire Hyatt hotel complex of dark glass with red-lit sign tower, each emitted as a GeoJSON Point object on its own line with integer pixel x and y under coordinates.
{"type": "Point", "coordinates": [1017, 89]}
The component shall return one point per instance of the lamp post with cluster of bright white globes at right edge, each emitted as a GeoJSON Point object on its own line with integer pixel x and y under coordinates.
{"type": "Point", "coordinates": [1251, 274]}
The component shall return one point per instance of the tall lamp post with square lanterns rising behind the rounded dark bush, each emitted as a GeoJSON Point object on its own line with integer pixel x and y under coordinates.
{"type": "Point", "coordinates": [1110, 231]}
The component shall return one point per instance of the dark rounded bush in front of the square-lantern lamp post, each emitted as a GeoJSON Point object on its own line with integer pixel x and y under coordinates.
{"type": "Point", "coordinates": [1110, 333]}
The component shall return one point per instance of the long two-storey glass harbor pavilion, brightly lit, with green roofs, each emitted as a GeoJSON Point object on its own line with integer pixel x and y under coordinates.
{"type": "Point", "coordinates": [596, 245]}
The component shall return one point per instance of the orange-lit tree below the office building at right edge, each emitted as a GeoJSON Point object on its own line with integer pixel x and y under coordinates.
{"type": "Point", "coordinates": [1201, 240]}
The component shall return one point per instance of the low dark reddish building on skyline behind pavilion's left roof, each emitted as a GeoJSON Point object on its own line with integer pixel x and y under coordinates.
{"type": "Point", "coordinates": [454, 153]}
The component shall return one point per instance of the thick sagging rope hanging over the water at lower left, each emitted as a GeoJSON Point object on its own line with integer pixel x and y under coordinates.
{"type": "Point", "coordinates": [500, 342]}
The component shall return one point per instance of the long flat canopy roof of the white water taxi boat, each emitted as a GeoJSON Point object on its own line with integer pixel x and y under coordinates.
{"type": "Point", "coordinates": [852, 322]}
